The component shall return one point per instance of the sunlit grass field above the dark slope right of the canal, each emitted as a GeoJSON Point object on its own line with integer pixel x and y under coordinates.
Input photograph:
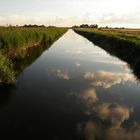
{"type": "Point", "coordinates": [113, 35]}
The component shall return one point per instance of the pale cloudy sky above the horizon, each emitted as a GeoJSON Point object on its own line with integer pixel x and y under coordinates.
{"type": "Point", "coordinates": [112, 13]}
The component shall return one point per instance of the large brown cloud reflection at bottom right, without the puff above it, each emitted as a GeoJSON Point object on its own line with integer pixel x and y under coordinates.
{"type": "Point", "coordinates": [111, 127]}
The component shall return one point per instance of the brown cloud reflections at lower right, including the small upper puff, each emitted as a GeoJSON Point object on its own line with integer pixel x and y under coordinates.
{"type": "Point", "coordinates": [110, 122]}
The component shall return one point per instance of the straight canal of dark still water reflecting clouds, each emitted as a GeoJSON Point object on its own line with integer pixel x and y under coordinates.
{"type": "Point", "coordinates": [73, 91]}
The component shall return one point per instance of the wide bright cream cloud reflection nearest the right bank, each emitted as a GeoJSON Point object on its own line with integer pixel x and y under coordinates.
{"type": "Point", "coordinates": [107, 79]}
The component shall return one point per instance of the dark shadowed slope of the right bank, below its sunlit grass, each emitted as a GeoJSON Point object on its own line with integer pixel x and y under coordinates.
{"type": "Point", "coordinates": [125, 50]}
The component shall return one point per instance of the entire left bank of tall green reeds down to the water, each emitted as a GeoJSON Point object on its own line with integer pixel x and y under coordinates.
{"type": "Point", "coordinates": [18, 44]}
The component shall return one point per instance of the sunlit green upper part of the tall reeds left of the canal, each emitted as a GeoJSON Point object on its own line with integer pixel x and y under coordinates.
{"type": "Point", "coordinates": [13, 37]}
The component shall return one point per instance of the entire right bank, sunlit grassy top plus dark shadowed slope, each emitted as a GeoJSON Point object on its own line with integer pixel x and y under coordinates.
{"type": "Point", "coordinates": [124, 44]}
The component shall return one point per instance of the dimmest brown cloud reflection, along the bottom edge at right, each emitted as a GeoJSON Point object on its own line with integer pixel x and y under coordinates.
{"type": "Point", "coordinates": [92, 131]}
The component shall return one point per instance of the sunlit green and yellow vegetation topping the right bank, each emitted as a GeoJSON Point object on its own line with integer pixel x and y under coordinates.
{"type": "Point", "coordinates": [112, 37]}
